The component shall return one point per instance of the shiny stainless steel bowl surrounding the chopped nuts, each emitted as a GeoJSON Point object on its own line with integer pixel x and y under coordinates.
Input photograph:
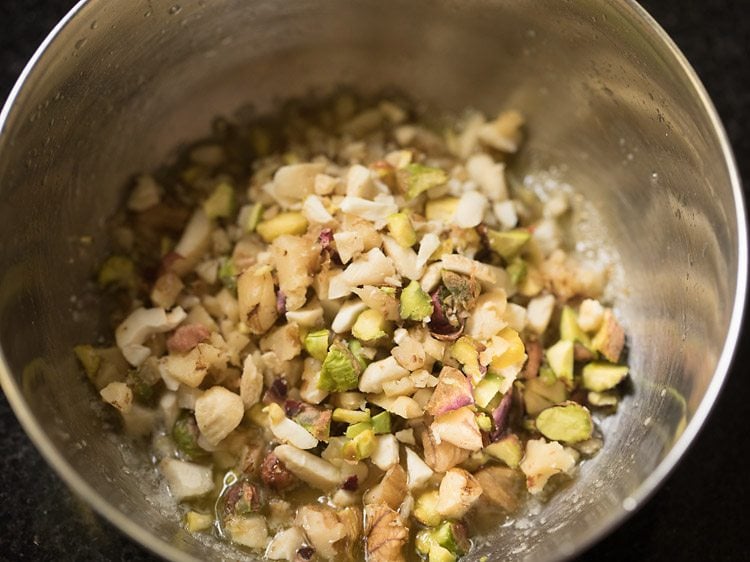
{"type": "Point", "coordinates": [611, 103]}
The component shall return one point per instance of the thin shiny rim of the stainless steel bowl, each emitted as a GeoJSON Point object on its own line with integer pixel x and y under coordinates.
{"type": "Point", "coordinates": [647, 25]}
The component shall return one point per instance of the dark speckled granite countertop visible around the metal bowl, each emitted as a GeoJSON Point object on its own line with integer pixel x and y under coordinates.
{"type": "Point", "coordinates": [700, 513]}
